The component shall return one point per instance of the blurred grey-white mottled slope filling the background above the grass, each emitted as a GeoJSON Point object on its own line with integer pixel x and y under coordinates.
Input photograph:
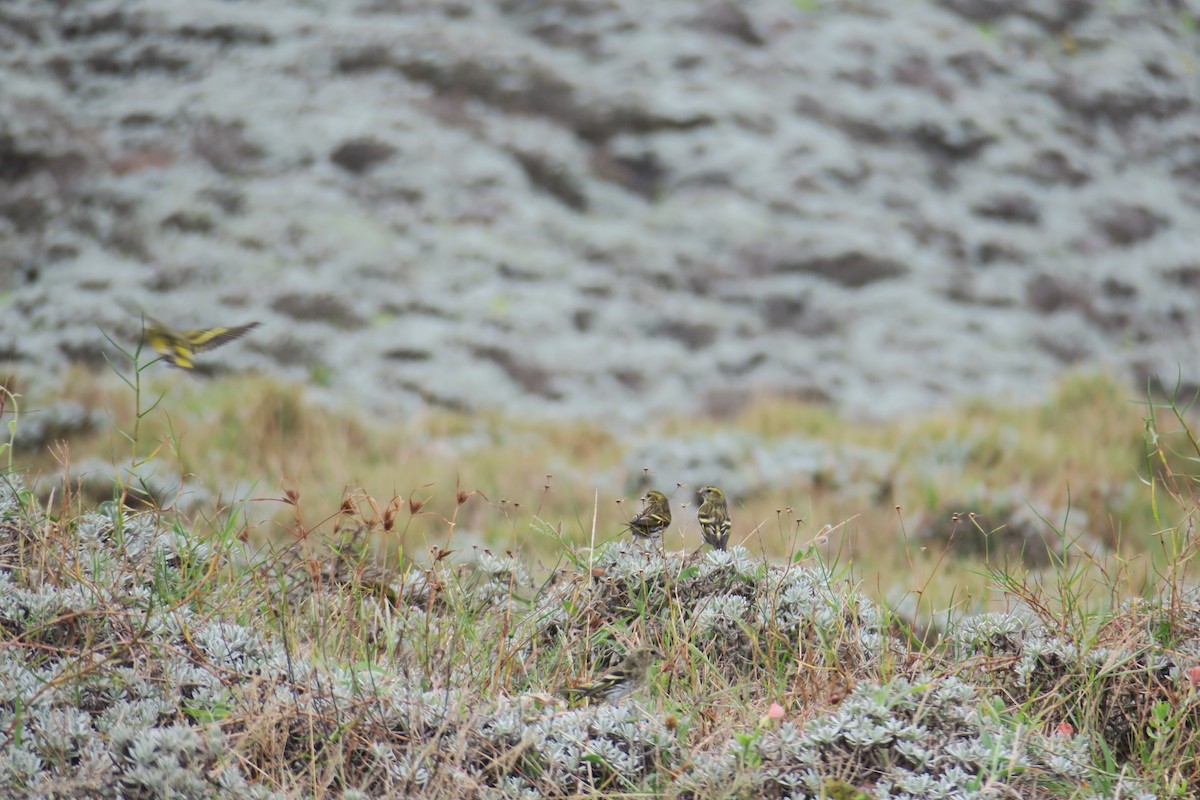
{"type": "Point", "coordinates": [610, 208]}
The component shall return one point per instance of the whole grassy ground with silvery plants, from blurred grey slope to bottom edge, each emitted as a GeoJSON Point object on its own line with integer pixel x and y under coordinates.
{"type": "Point", "coordinates": [356, 623]}
